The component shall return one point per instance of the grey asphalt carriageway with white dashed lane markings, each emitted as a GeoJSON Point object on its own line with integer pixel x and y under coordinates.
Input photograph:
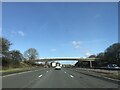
{"type": "Point", "coordinates": [51, 78]}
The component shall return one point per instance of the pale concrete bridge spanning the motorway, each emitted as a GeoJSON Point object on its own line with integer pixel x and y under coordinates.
{"type": "Point", "coordinates": [67, 59]}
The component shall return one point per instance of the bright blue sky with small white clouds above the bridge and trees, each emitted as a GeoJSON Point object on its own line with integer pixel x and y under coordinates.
{"type": "Point", "coordinates": [61, 29]}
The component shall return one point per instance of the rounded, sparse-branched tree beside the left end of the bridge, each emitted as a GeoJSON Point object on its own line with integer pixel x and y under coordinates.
{"type": "Point", "coordinates": [31, 54]}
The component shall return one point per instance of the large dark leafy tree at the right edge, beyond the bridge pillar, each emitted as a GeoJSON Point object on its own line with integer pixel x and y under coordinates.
{"type": "Point", "coordinates": [109, 56]}
